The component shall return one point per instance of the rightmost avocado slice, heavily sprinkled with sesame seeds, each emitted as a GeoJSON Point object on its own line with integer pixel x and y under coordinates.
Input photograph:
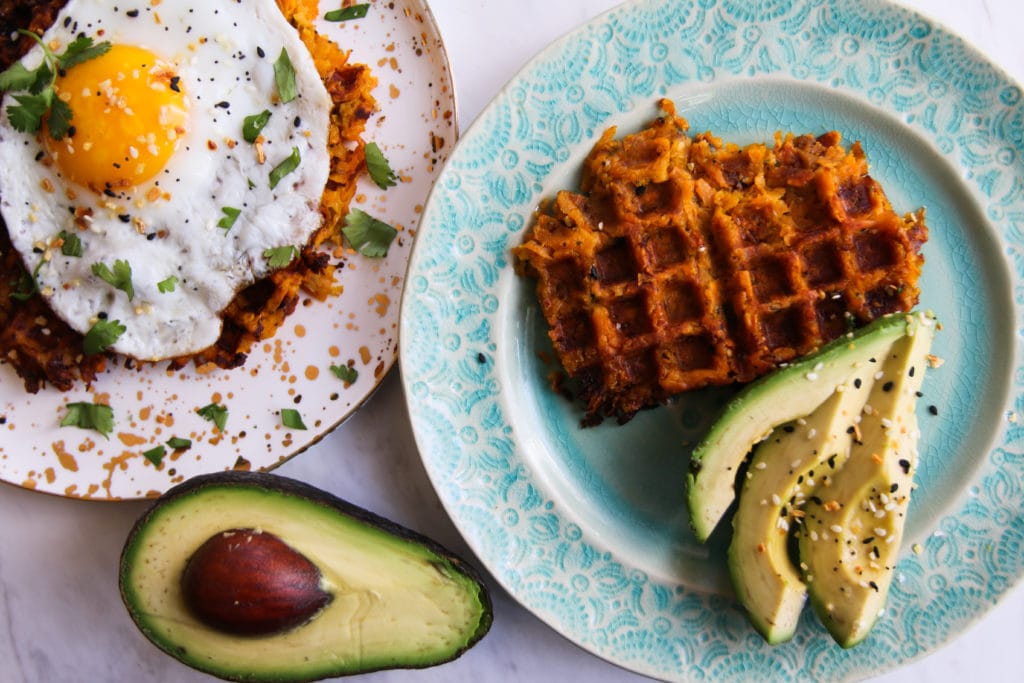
{"type": "Point", "coordinates": [851, 539]}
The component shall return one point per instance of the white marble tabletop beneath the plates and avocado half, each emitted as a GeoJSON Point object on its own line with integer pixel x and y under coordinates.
{"type": "Point", "coordinates": [62, 619]}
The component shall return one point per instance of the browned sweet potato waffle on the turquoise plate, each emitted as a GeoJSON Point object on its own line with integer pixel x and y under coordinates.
{"type": "Point", "coordinates": [685, 263]}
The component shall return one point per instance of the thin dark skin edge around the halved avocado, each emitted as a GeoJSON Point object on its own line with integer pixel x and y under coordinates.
{"type": "Point", "coordinates": [291, 488]}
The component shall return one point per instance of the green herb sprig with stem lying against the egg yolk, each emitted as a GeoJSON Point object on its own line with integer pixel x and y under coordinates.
{"type": "Point", "coordinates": [41, 101]}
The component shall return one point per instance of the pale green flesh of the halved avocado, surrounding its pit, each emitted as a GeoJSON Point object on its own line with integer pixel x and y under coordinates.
{"type": "Point", "coordinates": [399, 601]}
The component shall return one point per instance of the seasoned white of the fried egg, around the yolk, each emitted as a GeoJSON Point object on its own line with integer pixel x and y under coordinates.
{"type": "Point", "coordinates": [225, 52]}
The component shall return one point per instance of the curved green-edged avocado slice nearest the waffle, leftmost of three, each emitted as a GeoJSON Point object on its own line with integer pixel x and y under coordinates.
{"type": "Point", "coordinates": [782, 397]}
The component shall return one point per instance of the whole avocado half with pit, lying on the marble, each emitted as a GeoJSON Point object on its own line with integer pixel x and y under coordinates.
{"type": "Point", "coordinates": [254, 577]}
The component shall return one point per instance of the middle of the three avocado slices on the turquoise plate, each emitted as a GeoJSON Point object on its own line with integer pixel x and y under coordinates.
{"type": "Point", "coordinates": [783, 473]}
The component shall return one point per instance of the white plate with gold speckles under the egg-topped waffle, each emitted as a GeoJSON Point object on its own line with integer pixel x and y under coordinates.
{"type": "Point", "coordinates": [415, 127]}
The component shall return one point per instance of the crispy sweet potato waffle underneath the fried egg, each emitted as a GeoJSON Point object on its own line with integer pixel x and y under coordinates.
{"type": "Point", "coordinates": [46, 352]}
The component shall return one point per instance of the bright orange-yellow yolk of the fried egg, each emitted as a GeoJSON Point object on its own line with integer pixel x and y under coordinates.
{"type": "Point", "coordinates": [129, 110]}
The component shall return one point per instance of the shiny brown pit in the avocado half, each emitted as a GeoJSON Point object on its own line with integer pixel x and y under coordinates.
{"type": "Point", "coordinates": [249, 583]}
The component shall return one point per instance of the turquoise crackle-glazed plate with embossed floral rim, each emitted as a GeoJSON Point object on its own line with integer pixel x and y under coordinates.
{"type": "Point", "coordinates": [587, 528]}
